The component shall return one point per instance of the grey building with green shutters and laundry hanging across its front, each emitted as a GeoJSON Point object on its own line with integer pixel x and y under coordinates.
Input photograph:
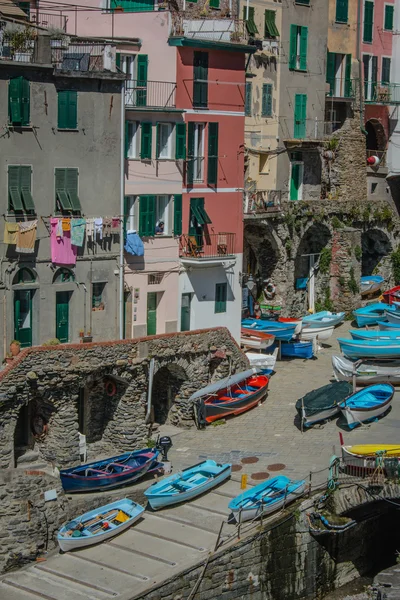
{"type": "Point", "coordinates": [60, 157]}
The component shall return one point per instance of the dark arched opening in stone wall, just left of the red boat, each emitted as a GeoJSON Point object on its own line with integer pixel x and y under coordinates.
{"type": "Point", "coordinates": [167, 384]}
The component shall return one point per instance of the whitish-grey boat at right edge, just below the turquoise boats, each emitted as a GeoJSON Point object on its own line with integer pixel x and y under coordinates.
{"type": "Point", "coordinates": [366, 372]}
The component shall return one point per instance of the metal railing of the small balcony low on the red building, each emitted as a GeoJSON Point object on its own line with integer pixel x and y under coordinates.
{"type": "Point", "coordinates": [203, 246]}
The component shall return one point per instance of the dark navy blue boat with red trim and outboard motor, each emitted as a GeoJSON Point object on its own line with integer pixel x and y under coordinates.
{"type": "Point", "coordinates": [110, 472]}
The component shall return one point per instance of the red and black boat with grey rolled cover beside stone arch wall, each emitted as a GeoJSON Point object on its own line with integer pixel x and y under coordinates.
{"type": "Point", "coordinates": [229, 396]}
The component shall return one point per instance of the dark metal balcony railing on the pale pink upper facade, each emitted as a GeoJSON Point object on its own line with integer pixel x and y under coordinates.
{"type": "Point", "coordinates": [150, 94]}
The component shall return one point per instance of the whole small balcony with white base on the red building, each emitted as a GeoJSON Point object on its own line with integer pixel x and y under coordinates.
{"type": "Point", "coordinates": [207, 249]}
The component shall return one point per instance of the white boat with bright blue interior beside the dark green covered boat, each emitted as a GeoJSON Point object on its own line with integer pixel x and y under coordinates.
{"type": "Point", "coordinates": [367, 404]}
